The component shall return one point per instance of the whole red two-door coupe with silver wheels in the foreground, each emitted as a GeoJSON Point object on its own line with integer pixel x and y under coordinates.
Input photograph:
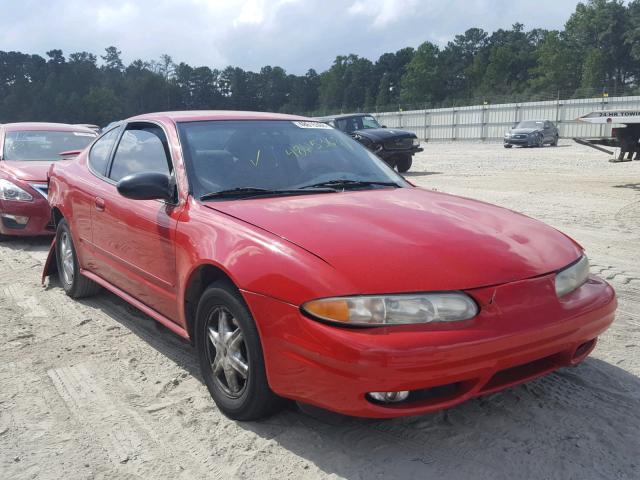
{"type": "Point", "coordinates": [302, 267]}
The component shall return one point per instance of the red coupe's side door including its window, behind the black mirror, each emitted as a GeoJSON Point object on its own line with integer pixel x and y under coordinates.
{"type": "Point", "coordinates": [134, 239]}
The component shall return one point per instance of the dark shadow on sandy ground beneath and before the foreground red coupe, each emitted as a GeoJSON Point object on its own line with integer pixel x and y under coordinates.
{"type": "Point", "coordinates": [542, 429]}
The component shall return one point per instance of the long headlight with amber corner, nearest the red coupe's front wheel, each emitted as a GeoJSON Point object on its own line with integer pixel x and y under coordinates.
{"type": "Point", "coordinates": [393, 309]}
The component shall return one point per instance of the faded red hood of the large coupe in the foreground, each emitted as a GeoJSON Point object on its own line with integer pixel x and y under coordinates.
{"type": "Point", "coordinates": [410, 239]}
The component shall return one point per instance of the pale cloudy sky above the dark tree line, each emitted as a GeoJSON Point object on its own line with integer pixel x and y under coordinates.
{"type": "Point", "coordinates": [294, 34]}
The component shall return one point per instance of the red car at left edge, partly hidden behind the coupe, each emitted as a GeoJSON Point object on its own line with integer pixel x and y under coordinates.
{"type": "Point", "coordinates": [26, 152]}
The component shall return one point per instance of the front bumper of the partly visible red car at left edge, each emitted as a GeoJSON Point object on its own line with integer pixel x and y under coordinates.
{"type": "Point", "coordinates": [38, 212]}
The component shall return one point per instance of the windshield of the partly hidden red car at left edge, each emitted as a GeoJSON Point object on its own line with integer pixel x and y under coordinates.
{"type": "Point", "coordinates": [43, 144]}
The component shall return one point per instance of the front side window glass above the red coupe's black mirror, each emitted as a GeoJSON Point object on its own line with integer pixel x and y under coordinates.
{"type": "Point", "coordinates": [142, 148]}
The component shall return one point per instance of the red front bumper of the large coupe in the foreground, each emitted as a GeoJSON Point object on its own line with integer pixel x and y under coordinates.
{"type": "Point", "coordinates": [521, 333]}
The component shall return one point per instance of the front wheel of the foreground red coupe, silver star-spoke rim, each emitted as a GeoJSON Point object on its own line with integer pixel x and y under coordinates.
{"type": "Point", "coordinates": [227, 340]}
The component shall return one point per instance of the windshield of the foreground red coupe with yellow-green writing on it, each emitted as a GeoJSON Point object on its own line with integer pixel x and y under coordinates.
{"type": "Point", "coordinates": [277, 155]}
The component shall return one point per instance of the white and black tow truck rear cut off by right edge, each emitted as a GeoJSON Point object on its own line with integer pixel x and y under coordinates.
{"type": "Point", "coordinates": [625, 136]}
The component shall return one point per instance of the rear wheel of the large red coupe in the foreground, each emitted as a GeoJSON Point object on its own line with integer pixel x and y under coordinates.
{"type": "Point", "coordinates": [73, 282]}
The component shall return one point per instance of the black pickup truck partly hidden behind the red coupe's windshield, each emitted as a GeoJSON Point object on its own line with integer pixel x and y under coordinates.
{"type": "Point", "coordinates": [396, 147]}
